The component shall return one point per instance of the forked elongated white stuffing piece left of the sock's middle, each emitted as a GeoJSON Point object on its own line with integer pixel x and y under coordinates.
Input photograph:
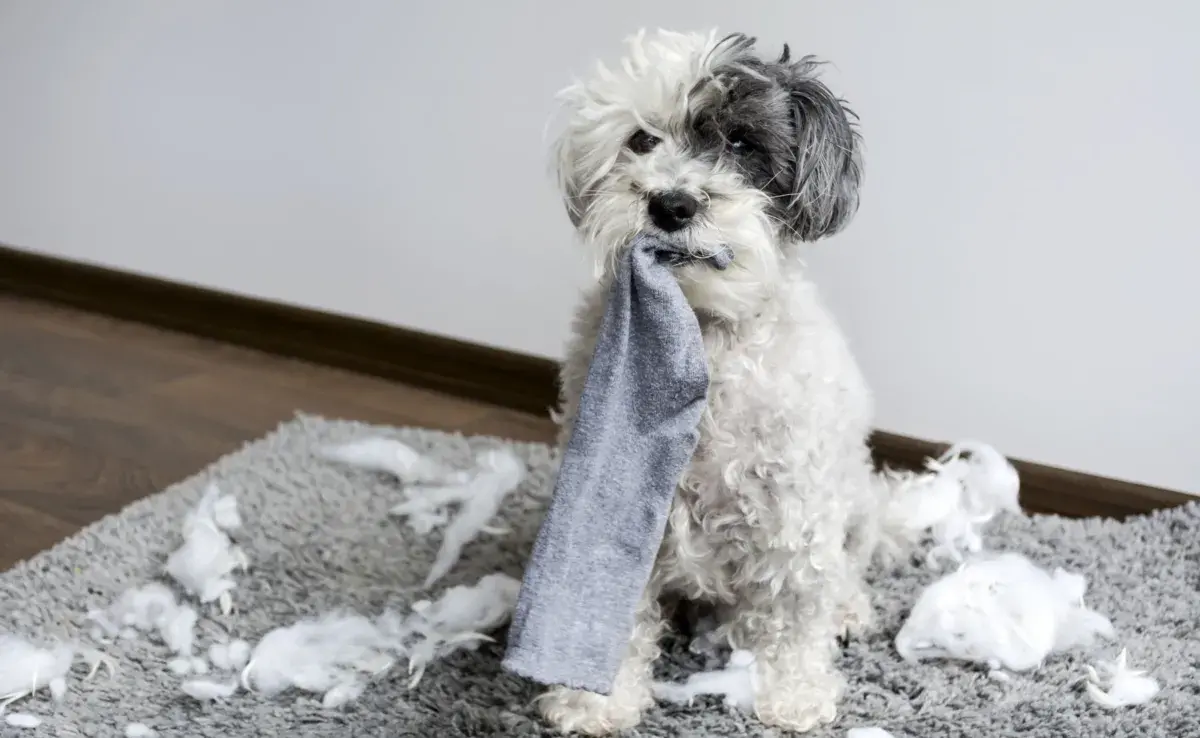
{"type": "Point", "coordinates": [499, 473]}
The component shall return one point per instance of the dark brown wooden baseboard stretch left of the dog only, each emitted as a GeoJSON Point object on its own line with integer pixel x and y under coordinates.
{"type": "Point", "coordinates": [418, 358]}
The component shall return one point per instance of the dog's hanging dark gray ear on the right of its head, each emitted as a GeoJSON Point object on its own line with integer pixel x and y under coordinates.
{"type": "Point", "coordinates": [829, 158]}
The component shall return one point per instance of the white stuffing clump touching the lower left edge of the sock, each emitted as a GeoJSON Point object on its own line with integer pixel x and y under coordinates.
{"type": "Point", "coordinates": [460, 619]}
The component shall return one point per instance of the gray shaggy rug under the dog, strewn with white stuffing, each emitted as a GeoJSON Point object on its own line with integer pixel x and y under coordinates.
{"type": "Point", "coordinates": [320, 539]}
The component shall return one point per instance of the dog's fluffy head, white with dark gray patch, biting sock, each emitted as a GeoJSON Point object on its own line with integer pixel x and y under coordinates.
{"type": "Point", "coordinates": [698, 139]}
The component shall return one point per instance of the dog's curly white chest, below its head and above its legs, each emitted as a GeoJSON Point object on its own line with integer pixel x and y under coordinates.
{"type": "Point", "coordinates": [787, 421]}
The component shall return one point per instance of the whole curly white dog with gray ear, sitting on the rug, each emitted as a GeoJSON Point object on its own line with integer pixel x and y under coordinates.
{"type": "Point", "coordinates": [700, 140]}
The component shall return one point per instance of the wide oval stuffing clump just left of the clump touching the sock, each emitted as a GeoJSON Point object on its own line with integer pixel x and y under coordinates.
{"type": "Point", "coordinates": [319, 656]}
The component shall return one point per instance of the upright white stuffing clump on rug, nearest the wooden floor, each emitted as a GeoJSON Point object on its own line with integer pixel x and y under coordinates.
{"type": "Point", "coordinates": [207, 560]}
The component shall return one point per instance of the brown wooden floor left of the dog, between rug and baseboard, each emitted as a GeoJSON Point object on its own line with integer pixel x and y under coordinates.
{"type": "Point", "coordinates": [97, 413]}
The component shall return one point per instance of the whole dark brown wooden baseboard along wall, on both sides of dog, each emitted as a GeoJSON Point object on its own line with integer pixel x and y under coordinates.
{"type": "Point", "coordinates": [439, 363]}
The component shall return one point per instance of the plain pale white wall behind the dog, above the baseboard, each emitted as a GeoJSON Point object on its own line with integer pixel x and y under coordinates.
{"type": "Point", "coordinates": [1022, 269]}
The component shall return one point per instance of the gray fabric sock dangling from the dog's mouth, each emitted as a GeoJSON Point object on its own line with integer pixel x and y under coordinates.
{"type": "Point", "coordinates": [634, 435]}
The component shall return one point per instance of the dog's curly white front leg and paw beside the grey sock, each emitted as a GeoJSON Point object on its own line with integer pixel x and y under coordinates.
{"type": "Point", "coordinates": [573, 711]}
